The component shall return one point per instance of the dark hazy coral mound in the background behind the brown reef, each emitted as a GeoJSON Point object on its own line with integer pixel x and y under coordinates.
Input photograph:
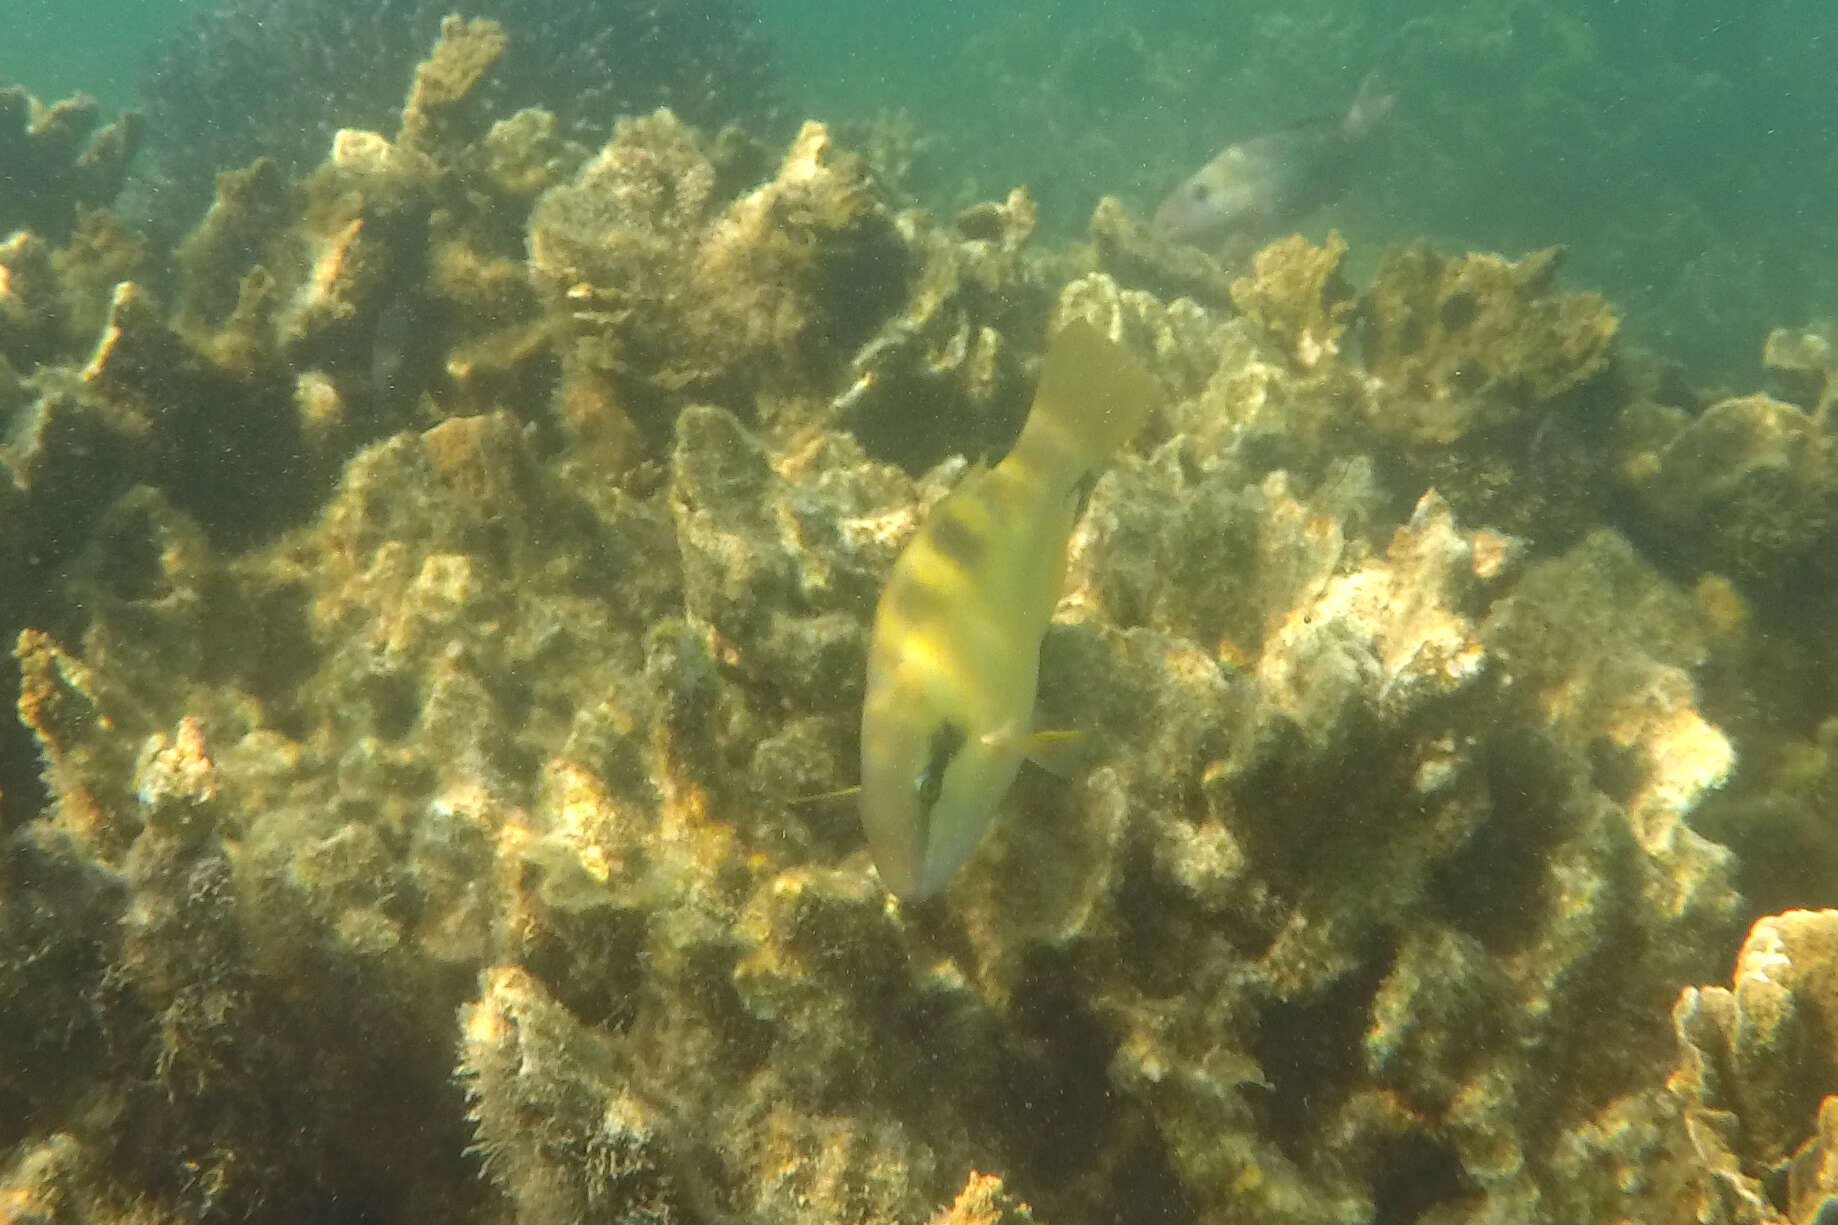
{"type": "Point", "coordinates": [278, 78]}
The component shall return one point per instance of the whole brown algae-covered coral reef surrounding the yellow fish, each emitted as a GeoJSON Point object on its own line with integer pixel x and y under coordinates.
{"type": "Point", "coordinates": [438, 601]}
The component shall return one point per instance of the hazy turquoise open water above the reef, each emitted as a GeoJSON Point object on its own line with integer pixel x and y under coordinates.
{"type": "Point", "coordinates": [1685, 152]}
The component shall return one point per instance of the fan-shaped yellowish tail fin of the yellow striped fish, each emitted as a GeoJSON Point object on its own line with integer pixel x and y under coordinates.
{"type": "Point", "coordinates": [1093, 400]}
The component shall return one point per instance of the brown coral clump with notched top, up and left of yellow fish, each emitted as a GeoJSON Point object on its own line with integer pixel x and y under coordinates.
{"type": "Point", "coordinates": [668, 295]}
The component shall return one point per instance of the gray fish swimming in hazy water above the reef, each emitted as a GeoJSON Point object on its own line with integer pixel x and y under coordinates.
{"type": "Point", "coordinates": [1267, 183]}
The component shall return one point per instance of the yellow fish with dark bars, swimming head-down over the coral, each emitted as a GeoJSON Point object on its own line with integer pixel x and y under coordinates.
{"type": "Point", "coordinates": [957, 648]}
